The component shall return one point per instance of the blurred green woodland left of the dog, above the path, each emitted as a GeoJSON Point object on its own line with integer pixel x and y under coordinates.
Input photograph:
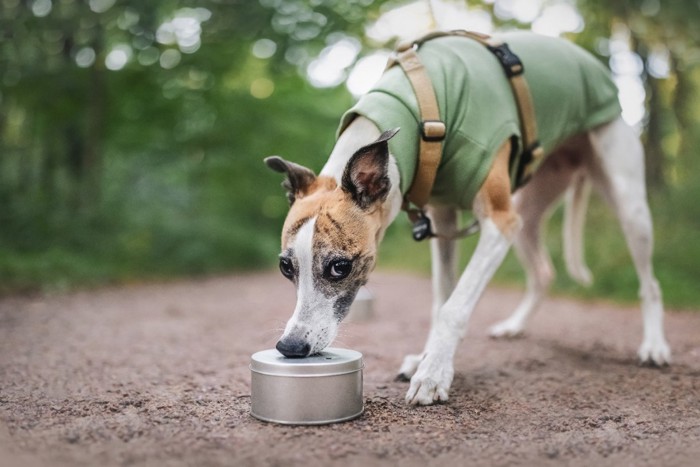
{"type": "Point", "coordinates": [134, 131]}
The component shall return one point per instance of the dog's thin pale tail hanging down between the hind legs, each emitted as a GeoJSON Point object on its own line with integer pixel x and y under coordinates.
{"type": "Point", "coordinates": [576, 203]}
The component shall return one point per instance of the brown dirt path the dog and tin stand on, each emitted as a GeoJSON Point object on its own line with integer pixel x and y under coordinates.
{"type": "Point", "coordinates": [158, 375]}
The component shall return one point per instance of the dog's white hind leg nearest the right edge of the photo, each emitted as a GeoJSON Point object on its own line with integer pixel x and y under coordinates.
{"type": "Point", "coordinates": [619, 175]}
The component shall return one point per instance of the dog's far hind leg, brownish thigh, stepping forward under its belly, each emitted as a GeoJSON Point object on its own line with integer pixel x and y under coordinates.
{"type": "Point", "coordinates": [533, 202]}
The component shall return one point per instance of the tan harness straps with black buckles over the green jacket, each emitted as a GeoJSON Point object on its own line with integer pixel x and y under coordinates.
{"type": "Point", "coordinates": [433, 129]}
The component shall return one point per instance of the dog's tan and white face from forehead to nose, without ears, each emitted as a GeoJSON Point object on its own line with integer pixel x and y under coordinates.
{"type": "Point", "coordinates": [328, 251]}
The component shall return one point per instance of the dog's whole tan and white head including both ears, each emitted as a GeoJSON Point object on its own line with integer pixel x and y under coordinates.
{"type": "Point", "coordinates": [329, 241]}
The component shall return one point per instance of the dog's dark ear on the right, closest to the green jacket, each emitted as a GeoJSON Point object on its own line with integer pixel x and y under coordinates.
{"type": "Point", "coordinates": [366, 176]}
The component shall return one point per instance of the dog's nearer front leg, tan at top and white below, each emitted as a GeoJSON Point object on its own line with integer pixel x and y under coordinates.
{"type": "Point", "coordinates": [499, 224]}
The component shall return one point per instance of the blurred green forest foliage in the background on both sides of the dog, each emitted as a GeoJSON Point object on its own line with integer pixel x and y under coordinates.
{"type": "Point", "coordinates": [154, 169]}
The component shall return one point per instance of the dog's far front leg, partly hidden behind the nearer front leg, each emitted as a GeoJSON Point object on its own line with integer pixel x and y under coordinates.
{"type": "Point", "coordinates": [444, 256]}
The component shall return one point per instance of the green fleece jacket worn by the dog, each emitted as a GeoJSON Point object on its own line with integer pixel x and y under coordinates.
{"type": "Point", "coordinates": [571, 90]}
